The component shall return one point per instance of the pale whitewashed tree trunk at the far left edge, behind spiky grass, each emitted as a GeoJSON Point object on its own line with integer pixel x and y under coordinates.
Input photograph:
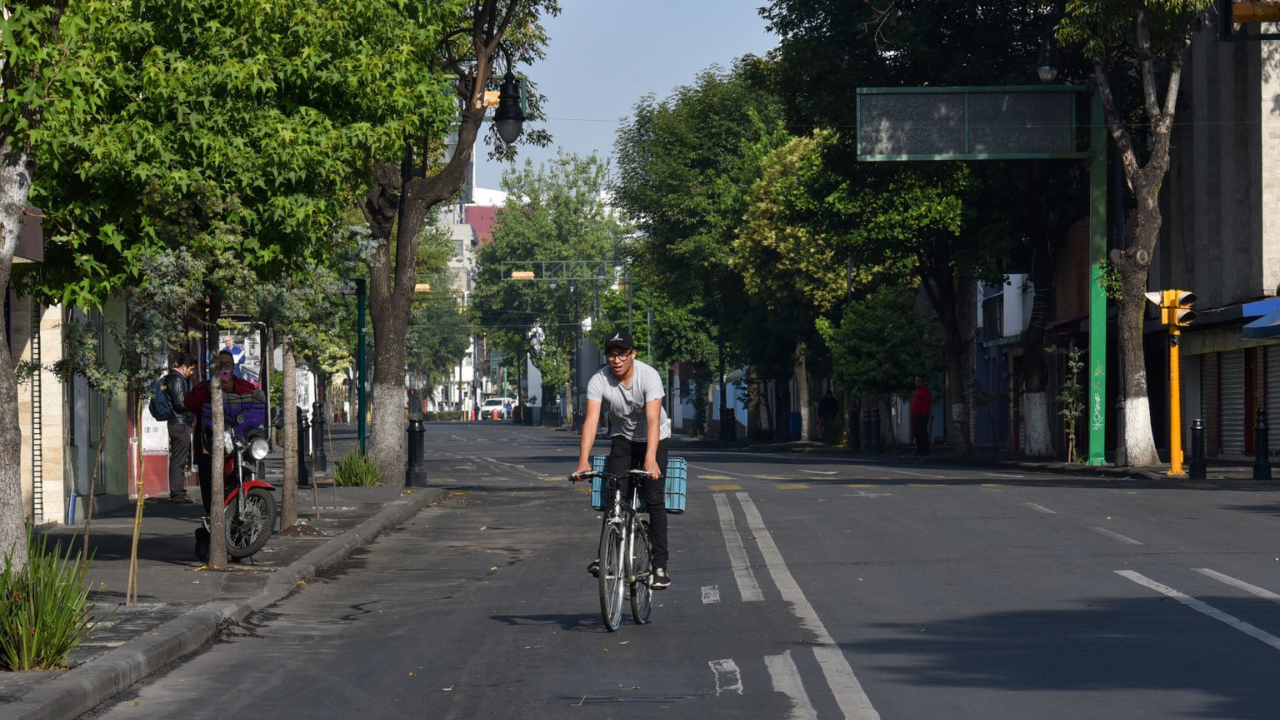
{"type": "Point", "coordinates": [17, 168]}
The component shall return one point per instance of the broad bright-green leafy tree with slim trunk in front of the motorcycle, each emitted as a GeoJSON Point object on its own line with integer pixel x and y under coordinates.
{"type": "Point", "coordinates": [236, 130]}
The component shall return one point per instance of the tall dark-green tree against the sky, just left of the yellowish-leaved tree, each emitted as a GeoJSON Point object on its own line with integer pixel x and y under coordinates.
{"type": "Point", "coordinates": [685, 172]}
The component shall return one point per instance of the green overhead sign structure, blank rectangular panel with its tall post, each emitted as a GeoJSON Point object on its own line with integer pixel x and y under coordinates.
{"type": "Point", "coordinates": [1007, 124]}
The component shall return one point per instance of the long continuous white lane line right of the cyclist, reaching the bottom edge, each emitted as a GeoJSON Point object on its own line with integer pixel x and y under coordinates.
{"type": "Point", "coordinates": [840, 677]}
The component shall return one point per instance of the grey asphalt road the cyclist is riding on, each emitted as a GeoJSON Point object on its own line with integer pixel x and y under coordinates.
{"type": "Point", "coordinates": [804, 587]}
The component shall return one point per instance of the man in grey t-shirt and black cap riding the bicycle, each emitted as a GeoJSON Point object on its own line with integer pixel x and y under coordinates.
{"type": "Point", "coordinates": [633, 393]}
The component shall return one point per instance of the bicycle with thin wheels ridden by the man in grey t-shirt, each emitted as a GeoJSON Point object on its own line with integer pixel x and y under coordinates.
{"type": "Point", "coordinates": [627, 552]}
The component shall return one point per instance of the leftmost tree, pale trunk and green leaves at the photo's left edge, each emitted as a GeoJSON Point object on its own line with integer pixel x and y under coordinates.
{"type": "Point", "coordinates": [36, 76]}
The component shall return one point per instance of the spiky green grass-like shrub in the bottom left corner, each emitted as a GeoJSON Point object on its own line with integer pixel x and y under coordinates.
{"type": "Point", "coordinates": [44, 608]}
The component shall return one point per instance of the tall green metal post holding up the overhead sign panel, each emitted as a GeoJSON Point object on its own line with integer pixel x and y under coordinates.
{"type": "Point", "coordinates": [1098, 299]}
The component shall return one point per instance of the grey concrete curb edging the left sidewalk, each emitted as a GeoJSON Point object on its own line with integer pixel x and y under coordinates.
{"type": "Point", "coordinates": [89, 686]}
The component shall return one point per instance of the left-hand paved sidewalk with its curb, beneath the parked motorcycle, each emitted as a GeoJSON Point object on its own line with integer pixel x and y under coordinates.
{"type": "Point", "coordinates": [181, 604]}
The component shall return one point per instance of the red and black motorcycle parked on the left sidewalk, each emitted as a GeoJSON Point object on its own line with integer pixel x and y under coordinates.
{"type": "Point", "coordinates": [250, 504]}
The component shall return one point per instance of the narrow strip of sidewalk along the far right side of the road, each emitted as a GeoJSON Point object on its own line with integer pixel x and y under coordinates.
{"type": "Point", "coordinates": [1218, 470]}
